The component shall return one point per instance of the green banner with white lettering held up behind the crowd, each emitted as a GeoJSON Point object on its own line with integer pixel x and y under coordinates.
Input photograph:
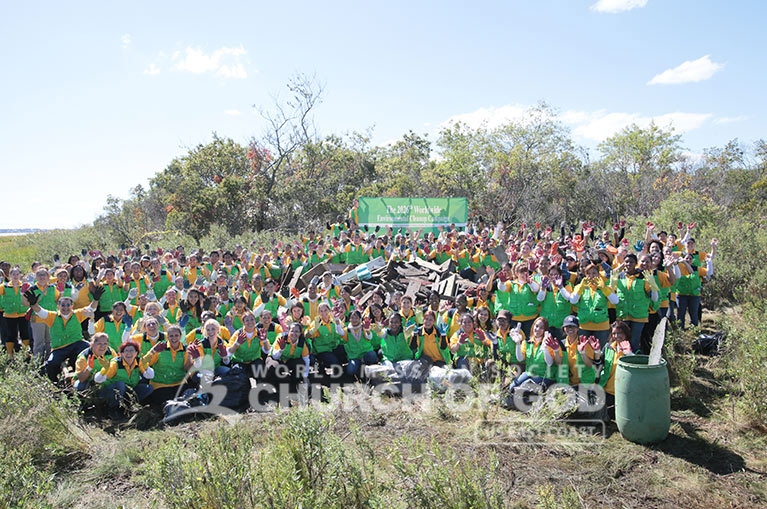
{"type": "Point", "coordinates": [426, 213]}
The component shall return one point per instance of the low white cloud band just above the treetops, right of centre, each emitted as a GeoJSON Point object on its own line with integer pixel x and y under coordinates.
{"type": "Point", "coordinates": [589, 125]}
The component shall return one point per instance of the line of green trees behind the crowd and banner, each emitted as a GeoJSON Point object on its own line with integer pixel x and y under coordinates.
{"type": "Point", "coordinates": [523, 171]}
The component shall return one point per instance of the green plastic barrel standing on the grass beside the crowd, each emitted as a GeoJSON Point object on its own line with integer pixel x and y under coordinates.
{"type": "Point", "coordinates": [642, 399]}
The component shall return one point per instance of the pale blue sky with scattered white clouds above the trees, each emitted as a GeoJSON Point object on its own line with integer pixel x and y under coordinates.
{"type": "Point", "coordinates": [96, 97]}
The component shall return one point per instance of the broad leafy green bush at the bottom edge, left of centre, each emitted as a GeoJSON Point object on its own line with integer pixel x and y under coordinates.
{"type": "Point", "coordinates": [299, 462]}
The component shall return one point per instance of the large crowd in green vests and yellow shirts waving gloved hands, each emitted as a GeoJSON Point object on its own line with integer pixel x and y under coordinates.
{"type": "Point", "coordinates": [560, 304]}
